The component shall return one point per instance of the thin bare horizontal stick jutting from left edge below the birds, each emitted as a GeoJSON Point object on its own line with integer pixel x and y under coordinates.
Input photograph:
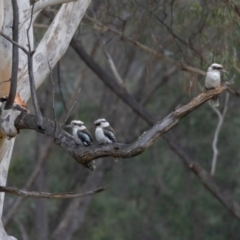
{"type": "Point", "coordinates": [23, 193]}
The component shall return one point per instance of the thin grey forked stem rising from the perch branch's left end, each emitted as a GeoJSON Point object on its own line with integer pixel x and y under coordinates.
{"type": "Point", "coordinates": [31, 77]}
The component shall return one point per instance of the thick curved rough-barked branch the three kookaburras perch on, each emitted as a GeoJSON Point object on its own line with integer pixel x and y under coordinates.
{"type": "Point", "coordinates": [86, 154]}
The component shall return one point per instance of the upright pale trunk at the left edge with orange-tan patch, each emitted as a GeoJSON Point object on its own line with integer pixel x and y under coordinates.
{"type": "Point", "coordinates": [7, 127]}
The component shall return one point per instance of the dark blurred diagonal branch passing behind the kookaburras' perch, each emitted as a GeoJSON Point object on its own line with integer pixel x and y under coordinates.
{"type": "Point", "coordinates": [226, 199]}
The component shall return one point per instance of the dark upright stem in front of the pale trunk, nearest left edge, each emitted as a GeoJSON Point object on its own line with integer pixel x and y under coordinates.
{"type": "Point", "coordinates": [15, 59]}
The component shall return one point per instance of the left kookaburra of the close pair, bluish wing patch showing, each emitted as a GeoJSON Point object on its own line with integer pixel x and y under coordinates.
{"type": "Point", "coordinates": [80, 133]}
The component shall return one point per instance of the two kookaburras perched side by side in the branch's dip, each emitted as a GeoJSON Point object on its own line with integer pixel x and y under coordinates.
{"type": "Point", "coordinates": [104, 133]}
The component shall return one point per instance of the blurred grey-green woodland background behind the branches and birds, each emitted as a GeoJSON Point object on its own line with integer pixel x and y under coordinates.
{"type": "Point", "coordinates": [151, 196]}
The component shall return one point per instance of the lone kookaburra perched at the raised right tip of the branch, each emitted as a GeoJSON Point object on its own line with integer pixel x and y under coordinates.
{"type": "Point", "coordinates": [213, 80]}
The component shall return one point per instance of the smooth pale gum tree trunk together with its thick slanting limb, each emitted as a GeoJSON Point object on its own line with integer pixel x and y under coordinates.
{"type": "Point", "coordinates": [51, 48]}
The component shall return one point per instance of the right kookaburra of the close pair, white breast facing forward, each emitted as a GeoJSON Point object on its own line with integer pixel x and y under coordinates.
{"type": "Point", "coordinates": [104, 133]}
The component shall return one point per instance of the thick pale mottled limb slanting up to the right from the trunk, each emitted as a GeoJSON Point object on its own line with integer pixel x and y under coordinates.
{"type": "Point", "coordinates": [54, 43]}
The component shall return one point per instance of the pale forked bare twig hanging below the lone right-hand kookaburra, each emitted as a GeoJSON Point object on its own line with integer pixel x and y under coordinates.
{"type": "Point", "coordinates": [221, 117]}
